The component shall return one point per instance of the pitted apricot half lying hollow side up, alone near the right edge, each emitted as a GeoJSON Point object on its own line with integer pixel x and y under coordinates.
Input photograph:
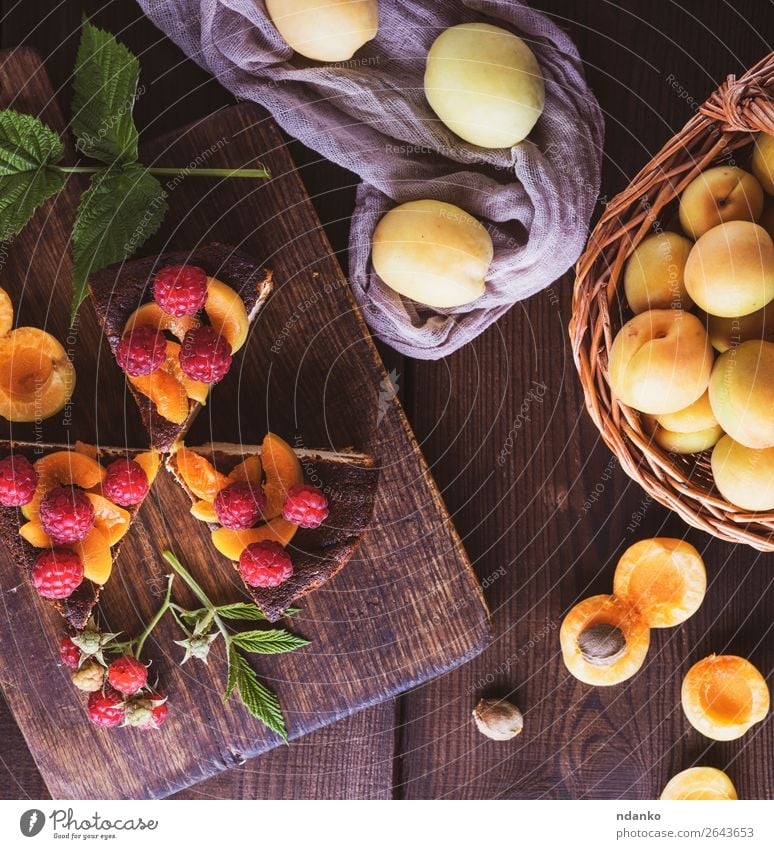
{"type": "Point", "coordinates": [723, 696]}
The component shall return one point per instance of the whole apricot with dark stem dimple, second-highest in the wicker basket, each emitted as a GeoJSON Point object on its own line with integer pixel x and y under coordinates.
{"type": "Point", "coordinates": [718, 195]}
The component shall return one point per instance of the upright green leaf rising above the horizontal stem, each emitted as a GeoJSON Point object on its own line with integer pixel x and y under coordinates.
{"type": "Point", "coordinates": [105, 84]}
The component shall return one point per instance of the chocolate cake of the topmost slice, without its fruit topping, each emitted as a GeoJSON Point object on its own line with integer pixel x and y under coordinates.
{"type": "Point", "coordinates": [118, 291]}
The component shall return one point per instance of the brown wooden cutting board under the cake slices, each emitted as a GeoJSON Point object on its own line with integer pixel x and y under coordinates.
{"type": "Point", "coordinates": [405, 610]}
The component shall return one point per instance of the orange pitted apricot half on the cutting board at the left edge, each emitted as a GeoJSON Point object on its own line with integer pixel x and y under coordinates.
{"type": "Point", "coordinates": [37, 378]}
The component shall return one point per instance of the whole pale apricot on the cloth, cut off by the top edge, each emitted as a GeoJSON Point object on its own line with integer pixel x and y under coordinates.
{"type": "Point", "coordinates": [325, 30]}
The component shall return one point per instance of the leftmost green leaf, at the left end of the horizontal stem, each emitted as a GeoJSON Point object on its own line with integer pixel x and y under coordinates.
{"type": "Point", "coordinates": [28, 149]}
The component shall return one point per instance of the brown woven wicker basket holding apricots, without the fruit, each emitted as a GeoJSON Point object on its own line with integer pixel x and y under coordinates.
{"type": "Point", "coordinates": [683, 483]}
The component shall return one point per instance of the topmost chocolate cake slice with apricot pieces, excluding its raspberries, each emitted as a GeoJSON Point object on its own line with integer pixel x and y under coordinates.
{"type": "Point", "coordinates": [237, 287]}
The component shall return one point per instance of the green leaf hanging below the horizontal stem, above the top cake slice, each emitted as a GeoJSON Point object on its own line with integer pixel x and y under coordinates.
{"type": "Point", "coordinates": [119, 211]}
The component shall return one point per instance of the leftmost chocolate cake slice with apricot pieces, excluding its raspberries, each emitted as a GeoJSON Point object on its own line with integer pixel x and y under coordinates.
{"type": "Point", "coordinates": [84, 467]}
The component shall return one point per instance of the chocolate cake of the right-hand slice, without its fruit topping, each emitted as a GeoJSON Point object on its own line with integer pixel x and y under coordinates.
{"type": "Point", "coordinates": [349, 481]}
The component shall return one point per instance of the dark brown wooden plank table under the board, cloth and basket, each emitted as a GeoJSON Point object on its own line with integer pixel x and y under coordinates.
{"type": "Point", "coordinates": [545, 529]}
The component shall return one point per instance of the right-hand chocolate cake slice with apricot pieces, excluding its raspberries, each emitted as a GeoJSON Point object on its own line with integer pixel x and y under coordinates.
{"type": "Point", "coordinates": [347, 479]}
